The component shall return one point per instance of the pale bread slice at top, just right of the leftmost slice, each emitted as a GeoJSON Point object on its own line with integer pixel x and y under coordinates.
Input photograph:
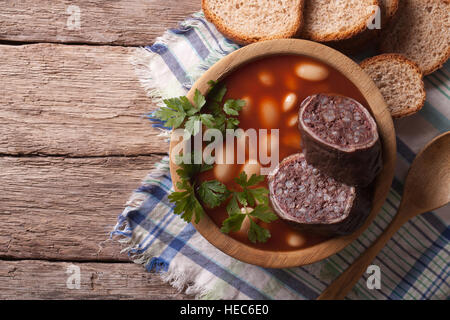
{"type": "Point", "coordinates": [327, 20]}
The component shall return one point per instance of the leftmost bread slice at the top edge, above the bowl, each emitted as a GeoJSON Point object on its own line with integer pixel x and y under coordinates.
{"type": "Point", "coordinates": [250, 21]}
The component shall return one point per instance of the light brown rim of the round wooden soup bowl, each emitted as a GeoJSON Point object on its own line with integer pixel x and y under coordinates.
{"type": "Point", "coordinates": [333, 58]}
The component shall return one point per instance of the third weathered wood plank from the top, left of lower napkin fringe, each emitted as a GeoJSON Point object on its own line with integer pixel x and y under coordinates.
{"type": "Point", "coordinates": [64, 208]}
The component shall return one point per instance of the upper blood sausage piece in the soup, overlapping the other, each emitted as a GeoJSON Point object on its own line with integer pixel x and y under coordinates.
{"type": "Point", "coordinates": [340, 138]}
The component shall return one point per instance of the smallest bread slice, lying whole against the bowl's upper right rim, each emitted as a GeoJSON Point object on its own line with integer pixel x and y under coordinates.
{"type": "Point", "coordinates": [400, 82]}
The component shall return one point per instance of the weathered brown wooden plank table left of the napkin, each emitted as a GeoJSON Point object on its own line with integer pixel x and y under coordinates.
{"type": "Point", "coordinates": [73, 144]}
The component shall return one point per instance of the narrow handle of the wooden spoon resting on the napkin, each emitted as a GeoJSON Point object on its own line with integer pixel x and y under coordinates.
{"type": "Point", "coordinates": [339, 288]}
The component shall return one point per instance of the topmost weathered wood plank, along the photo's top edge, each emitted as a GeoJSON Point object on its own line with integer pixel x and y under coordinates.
{"type": "Point", "coordinates": [119, 22]}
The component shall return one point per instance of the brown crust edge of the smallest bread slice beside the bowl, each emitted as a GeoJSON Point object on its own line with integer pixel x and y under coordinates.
{"type": "Point", "coordinates": [400, 58]}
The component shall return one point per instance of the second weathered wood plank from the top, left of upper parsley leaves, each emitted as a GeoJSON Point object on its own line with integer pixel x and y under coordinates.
{"type": "Point", "coordinates": [73, 100]}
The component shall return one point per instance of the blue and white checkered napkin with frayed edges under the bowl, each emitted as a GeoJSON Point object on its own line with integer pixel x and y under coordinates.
{"type": "Point", "coordinates": [414, 264]}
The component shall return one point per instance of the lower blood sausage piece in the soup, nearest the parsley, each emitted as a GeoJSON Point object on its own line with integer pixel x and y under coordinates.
{"type": "Point", "coordinates": [313, 202]}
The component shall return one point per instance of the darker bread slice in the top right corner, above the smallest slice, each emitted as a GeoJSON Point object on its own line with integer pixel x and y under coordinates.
{"type": "Point", "coordinates": [421, 32]}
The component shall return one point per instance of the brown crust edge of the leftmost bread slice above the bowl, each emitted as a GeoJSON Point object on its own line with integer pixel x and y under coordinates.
{"type": "Point", "coordinates": [244, 39]}
